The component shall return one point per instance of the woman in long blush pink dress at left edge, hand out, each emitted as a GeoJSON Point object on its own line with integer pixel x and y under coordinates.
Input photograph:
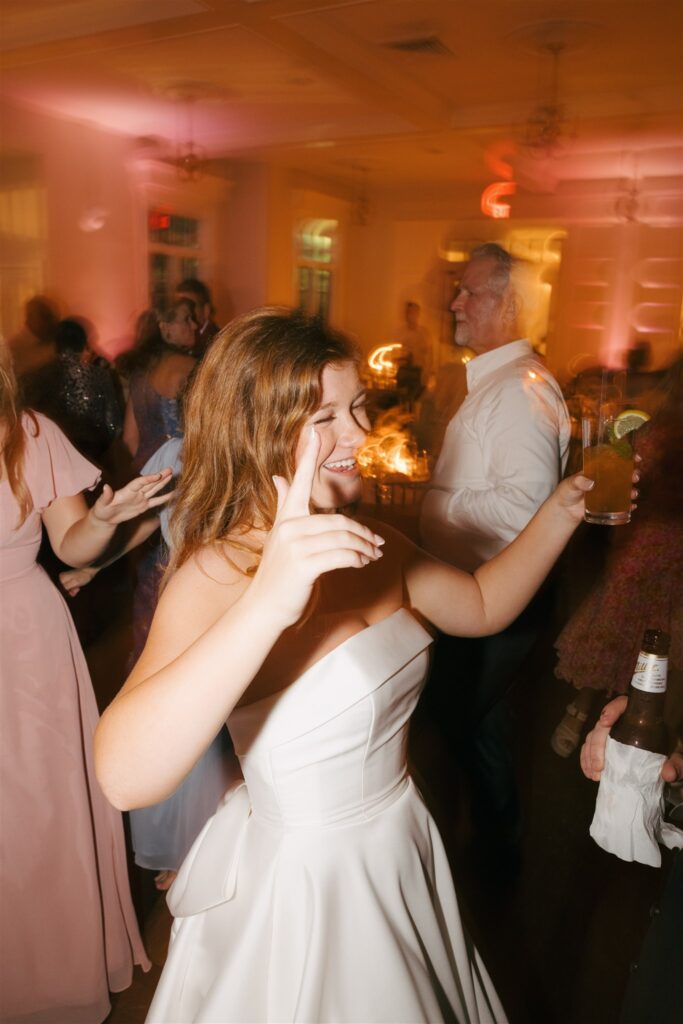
{"type": "Point", "coordinates": [68, 929]}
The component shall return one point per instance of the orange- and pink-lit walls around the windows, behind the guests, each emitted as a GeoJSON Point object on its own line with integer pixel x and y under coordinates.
{"type": "Point", "coordinates": [618, 280]}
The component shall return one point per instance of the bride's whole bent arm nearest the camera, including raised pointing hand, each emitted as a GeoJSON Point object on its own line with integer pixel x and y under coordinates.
{"type": "Point", "coordinates": [210, 635]}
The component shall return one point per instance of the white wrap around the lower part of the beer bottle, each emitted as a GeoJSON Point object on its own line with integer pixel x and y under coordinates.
{"type": "Point", "coordinates": [628, 812]}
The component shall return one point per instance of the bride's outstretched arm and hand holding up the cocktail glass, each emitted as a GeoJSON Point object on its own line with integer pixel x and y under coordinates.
{"type": "Point", "coordinates": [490, 600]}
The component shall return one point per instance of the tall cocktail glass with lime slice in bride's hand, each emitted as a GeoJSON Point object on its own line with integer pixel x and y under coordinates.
{"type": "Point", "coordinates": [609, 454]}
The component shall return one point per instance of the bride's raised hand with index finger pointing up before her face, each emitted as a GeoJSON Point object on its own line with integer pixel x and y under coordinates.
{"type": "Point", "coordinates": [303, 547]}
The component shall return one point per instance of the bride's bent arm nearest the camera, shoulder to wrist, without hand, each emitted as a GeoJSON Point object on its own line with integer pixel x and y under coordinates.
{"type": "Point", "coordinates": [207, 642]}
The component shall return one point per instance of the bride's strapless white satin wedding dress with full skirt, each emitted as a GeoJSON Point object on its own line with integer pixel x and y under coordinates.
{"type": "Point", "coordinates": [321, 891]}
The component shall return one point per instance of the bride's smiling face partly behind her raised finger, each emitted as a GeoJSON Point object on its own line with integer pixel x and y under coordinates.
{"type": "Point", "coordinates": [341, 422]}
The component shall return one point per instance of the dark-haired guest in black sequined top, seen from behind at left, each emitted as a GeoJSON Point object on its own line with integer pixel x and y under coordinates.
{"type": "Point", "coordinates": [76, 393]}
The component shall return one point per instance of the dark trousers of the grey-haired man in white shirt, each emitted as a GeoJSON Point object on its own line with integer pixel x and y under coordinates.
{"type": "Point", "coordinates": [467, 699]}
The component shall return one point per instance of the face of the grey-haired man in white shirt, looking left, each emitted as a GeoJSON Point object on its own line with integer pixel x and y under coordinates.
{"type": "Point", "coordinates": [485, 311]}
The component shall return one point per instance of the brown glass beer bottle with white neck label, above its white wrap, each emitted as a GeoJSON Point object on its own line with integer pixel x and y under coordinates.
{"type": "Point", "coordinates": [643, 723]}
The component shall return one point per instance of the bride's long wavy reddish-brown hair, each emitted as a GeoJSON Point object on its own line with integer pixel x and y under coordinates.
{"type": "Point", "coordinates": [257, 387]}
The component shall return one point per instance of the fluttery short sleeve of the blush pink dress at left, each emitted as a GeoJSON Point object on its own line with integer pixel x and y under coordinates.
{"type": "Point", "coordinates": [53, 466]}
